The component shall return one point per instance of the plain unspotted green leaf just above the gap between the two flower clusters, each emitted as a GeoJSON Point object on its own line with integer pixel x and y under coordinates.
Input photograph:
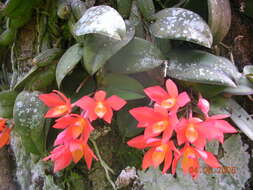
{"type": "Point", "coordinates": [123, 86]}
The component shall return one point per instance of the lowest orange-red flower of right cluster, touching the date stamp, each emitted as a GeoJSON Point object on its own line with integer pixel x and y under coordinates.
{"type": "Point", "coordinates": [190, 160]}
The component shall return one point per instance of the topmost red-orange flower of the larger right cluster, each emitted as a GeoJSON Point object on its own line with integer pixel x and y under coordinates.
{"type": "Point", "coordinates": [170, 100]}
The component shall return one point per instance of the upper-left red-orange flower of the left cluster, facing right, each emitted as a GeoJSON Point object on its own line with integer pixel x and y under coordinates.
{"type": "Point", "coordinates": [58, 103]}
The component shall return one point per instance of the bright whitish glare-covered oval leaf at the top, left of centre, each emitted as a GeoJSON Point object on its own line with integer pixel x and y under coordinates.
{"type": "Point", "coordinates": [102, 20]}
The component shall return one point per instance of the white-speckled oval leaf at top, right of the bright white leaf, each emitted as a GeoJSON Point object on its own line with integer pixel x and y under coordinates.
{"type": "Point", "coordinates": [181, 24]}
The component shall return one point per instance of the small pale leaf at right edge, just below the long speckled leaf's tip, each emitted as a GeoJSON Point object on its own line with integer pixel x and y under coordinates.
{"type": "Point", "coordinates": [244, 87]}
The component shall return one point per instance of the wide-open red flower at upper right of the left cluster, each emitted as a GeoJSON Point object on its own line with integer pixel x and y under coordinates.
{"type": "Point", "coordinates": [100, 107]}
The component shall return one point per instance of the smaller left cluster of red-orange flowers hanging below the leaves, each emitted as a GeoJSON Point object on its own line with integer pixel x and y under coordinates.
{"type": "Point", "coordinates": [72, 143]}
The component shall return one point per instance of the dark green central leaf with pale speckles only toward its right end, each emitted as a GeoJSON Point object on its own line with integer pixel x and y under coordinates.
{"type": "Point", "coordinates": [137, 56]}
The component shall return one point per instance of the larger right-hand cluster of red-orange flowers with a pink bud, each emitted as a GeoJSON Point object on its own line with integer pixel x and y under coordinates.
{"type": "Point", "coordinates": [192, 133]}
